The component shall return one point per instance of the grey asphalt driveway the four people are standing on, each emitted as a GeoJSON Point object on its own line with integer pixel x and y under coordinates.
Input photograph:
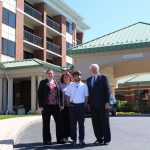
{"type": "Point", "coordinates": [128, 133]}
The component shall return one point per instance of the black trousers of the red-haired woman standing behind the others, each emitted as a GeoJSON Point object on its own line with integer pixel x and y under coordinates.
{"type": "Point", "coordinates": [66, 122]}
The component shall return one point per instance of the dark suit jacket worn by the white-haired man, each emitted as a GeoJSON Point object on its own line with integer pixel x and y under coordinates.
{"type": "Point", "coordinates": [99, 94]}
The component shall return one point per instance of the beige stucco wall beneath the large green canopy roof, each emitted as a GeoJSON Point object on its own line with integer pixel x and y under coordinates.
{"type": "Point", "coordinates": [115, 64]}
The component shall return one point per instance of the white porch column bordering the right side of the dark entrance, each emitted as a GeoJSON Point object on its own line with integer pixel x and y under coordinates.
{"type": "Point", "coordinates": [33, 94]}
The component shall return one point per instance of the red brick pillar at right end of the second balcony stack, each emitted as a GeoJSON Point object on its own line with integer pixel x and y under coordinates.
{"type": "Point", "coordinates": [60, 40]}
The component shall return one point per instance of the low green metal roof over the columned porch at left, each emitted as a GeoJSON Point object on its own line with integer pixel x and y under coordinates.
{"type": "Point", "coordinates": [27, 63]}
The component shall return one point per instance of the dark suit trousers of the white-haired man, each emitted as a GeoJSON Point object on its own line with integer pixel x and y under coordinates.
{"type": "Point", "coordinates": [100, 122]}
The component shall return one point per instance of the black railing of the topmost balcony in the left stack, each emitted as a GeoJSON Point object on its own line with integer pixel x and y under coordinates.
{"type": "Point", "coordinates": [32, 12]}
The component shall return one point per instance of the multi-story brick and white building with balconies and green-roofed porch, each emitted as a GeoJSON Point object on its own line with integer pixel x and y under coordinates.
{"type": "Point", "coordinates": [41, 29]}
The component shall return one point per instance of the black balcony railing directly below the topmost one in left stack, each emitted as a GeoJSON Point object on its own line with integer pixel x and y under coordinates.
{"type": "Point", "coordinates": [32, 38]}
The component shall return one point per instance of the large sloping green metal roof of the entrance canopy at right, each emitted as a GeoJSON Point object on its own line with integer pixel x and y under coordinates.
{"type": "Point", "coordinates": [130, 37]}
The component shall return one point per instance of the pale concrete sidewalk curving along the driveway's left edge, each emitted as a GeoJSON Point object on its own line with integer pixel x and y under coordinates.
{"type": "Point", "coordinates": [11, 128]}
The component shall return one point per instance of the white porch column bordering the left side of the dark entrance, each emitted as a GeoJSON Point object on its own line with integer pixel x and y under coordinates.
{"type": "Point", "coordinates": [10, 95]}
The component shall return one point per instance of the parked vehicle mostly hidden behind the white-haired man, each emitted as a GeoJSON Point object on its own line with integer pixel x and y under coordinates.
{"type": "Point", "coordinates": [112, 102]}
